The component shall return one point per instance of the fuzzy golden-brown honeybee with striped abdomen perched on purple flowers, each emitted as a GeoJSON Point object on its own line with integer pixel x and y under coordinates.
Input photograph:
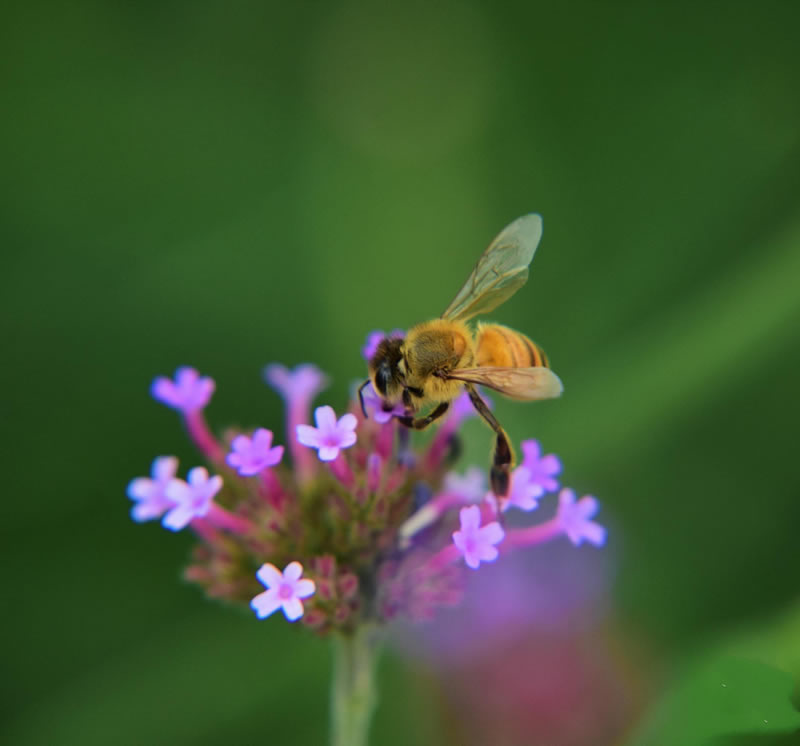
{"type": "Point", "coordinates": [438, 359]}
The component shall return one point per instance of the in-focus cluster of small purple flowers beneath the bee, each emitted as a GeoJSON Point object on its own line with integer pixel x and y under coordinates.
{"type": "Point", "coordinates": [379, 527]}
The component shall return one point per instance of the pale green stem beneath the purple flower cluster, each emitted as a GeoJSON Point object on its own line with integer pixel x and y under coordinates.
{"type": "Point", "coordinates": [353, 687]}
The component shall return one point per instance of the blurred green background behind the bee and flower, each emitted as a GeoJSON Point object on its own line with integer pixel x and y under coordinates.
{"type": "Point", "coordinates": [225, 185]}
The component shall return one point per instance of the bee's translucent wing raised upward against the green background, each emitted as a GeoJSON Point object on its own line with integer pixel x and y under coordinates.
{"type": "Point", "coordinates": [501, 270]}
